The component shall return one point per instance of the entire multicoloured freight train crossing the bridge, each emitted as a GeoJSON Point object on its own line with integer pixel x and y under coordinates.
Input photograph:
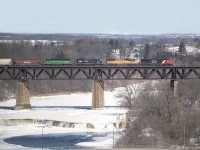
{"type": "Point", "coordinates": [81, 61]}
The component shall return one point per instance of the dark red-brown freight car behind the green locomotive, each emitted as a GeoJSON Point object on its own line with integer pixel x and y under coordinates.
{"type": "Point", "coordinates": [26, 61]}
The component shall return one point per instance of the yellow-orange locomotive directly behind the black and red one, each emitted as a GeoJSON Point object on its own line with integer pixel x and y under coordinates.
{"type": "Point", "coordinates": [122, 62]}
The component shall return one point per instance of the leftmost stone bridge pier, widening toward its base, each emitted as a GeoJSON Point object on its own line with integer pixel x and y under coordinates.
{"type": "Point", "coordinates": [23, 93]}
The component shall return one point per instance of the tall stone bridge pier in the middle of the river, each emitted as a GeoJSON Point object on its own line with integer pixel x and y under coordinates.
{"type": "Point", "coordinates": [98, 95]}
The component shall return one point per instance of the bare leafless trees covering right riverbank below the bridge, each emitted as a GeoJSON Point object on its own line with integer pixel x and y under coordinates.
{"type": "Point", "coordinates": [157, 116]}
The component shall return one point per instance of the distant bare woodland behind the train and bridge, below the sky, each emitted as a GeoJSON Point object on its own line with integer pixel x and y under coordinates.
{"type": "Point", "coordinates": [90, 47]}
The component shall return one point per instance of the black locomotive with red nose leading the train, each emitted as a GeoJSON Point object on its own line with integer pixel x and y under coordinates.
{"type": "Point", "coordinates": [156, 62]}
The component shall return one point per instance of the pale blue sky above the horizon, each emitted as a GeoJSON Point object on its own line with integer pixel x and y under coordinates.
{"type": "Point", "coordinates": [100, 16]}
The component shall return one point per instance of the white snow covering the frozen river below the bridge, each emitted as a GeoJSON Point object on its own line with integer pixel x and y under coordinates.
{"type": "Point", "coordinates": [74, 108]}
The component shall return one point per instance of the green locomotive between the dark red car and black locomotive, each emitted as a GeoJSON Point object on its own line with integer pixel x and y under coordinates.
{"type": "Point", "coordinates": [56, 62]}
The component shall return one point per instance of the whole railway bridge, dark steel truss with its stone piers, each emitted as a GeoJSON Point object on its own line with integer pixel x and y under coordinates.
{"type": "Point", "coordinates": [98, 74]}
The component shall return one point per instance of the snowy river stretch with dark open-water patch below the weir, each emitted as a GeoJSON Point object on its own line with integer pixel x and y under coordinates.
{"type": "Point", "coordinates": [34, 136]}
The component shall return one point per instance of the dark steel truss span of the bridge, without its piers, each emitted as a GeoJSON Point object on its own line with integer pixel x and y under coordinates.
{"type": "Point", "coordinates": [98, 72]}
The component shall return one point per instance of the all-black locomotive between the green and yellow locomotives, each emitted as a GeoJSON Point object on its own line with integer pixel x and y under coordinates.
{"type": "Point", "coordinates": [82, 61]}
